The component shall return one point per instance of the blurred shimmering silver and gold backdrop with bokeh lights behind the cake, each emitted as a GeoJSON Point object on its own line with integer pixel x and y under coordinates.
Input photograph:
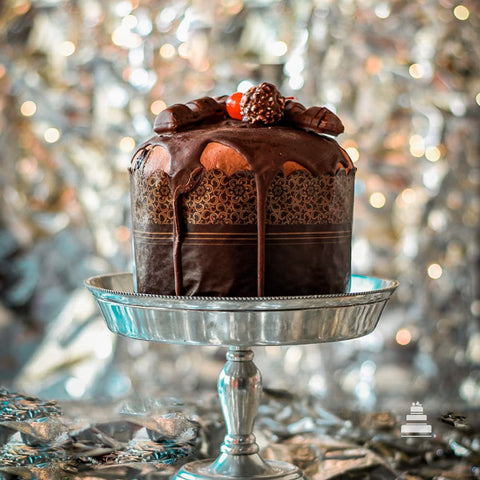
{"type": "Point", "coordinates": [80, 85]}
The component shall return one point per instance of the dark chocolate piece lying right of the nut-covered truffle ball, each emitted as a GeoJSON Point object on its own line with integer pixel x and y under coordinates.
{"type": "Point", "coordinates": [314, 119]}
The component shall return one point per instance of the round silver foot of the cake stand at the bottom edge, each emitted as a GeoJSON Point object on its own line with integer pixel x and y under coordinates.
{"type": "Point", "coordinates": [204, 469]}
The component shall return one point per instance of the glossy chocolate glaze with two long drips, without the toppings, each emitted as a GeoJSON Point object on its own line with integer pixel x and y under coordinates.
{"type": "Point", "coordinates": [264, 148]}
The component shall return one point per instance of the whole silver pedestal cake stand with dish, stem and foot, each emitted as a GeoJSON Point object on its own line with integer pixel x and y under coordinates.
{"type": "Point", "coordinates": [240, 324]}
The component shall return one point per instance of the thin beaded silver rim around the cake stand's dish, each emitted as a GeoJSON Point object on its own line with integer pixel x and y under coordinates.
{"type": "Point", "coordinates": [238, 303]}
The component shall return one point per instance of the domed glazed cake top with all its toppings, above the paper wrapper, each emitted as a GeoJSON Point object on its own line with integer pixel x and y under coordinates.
{"type": "Point", "coordinates": [261, 126]}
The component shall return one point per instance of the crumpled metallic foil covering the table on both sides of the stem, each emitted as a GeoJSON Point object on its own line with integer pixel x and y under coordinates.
{"type": "Point", "coordinates": [150, 439]}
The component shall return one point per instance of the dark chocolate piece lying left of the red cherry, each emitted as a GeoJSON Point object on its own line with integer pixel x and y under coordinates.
{"type": "Point", "coordinates": [179, 116]}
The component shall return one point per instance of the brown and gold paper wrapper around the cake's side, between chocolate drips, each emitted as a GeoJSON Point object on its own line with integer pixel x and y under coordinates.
{"type": "Point", "coordinates": [307, 244]}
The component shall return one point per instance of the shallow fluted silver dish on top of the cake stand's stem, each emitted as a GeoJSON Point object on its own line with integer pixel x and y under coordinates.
{"type": "Point", "coordinates": [239, 321]}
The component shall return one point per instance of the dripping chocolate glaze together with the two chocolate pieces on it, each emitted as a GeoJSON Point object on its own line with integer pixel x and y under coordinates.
{"type": "Point", "coordinates": [184, 131]}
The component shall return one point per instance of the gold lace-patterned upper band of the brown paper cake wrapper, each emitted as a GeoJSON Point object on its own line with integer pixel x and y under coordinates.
{"type": "Point", "coordinates": [296, 199]}
